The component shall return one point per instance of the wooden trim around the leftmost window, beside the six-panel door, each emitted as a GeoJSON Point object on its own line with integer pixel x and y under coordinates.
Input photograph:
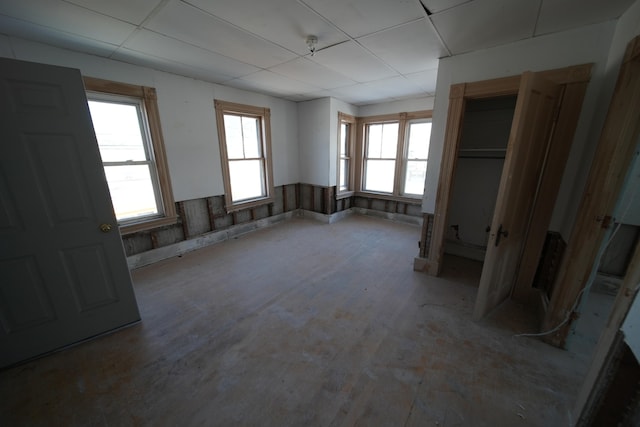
{"type": "Point", "coordinates": [149, 99]}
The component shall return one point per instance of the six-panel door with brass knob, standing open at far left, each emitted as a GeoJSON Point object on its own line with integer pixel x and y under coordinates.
{"type": "Point", "coordinates": [63, 271]}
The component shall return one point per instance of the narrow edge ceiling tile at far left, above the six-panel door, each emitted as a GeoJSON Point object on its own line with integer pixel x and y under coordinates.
{"type": "Point", "coordinates": [42, 34]}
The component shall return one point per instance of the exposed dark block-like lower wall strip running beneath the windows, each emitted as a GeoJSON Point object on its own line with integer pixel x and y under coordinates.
{"type": "Point", "coordinates": [199, 217]}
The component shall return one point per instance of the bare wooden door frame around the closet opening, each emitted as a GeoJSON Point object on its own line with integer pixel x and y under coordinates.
{"type": "Point", "coordinates": [574, 79]}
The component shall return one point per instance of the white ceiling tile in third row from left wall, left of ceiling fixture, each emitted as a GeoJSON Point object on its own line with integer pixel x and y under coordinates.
{"type": "Point", "coordinates": [184, 22]}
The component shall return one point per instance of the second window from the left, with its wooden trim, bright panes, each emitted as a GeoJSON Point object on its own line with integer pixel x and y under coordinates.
{"type": "Point", "coordinates": [244, 134]}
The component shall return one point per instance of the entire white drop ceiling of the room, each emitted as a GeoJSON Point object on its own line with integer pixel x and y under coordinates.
{"type": "Point", "coordinates": [368, 51]}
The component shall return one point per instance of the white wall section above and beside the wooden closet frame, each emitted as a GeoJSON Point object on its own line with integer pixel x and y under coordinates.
{"type": "Point", "coordinates": [585, 45]}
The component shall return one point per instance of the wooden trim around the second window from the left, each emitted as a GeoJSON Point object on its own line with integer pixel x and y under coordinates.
{"type": "Point", "coordinates": [264, 114]}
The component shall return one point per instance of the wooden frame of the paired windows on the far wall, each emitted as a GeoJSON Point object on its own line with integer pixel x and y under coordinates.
{"type": "Point", "coordinates": [403, 119]}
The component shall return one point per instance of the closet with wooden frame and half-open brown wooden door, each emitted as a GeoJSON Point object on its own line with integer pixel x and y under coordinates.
{"type": "Point", "coordinates": [539, 132]}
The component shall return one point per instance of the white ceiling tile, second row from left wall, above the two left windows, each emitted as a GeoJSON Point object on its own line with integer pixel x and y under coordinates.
{"type": "Point", "coordinates": [165, 47]}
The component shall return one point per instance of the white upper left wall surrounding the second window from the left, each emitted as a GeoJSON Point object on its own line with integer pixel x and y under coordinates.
{"type": "Point", "coordinates": [187, 115]}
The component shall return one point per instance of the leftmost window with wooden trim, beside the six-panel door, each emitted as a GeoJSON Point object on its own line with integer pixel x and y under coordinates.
{"type": "Point", "coordinates": [127, 126]}
